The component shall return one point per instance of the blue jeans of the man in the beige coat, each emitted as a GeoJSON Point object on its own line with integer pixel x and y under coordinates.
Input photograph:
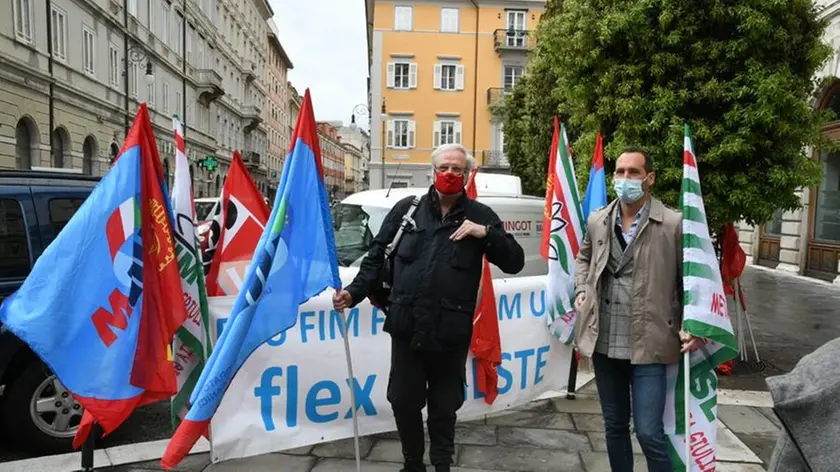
{"type": "Point", "coordinates": [614, 379]}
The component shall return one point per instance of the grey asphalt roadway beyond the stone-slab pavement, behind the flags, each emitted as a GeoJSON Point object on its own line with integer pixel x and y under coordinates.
{"type": "Point", "coordinates": [791, 317]}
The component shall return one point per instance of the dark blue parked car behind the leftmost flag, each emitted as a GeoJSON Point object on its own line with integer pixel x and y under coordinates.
{"type": "Point", "coordinates": [36, 411]}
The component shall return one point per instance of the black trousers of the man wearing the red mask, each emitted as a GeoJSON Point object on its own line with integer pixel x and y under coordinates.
{"type": "Point", "coordinates": [418, 378]}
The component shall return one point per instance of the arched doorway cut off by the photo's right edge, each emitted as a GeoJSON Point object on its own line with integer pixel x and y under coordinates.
{"type": "Point", "coordinates": [824, 209]}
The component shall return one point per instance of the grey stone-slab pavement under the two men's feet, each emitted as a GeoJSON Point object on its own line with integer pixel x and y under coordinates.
{"type": "Point", "coordinates": [549, 435]}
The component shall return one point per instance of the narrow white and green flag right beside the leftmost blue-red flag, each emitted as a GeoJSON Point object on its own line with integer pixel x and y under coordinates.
{"type": "Point", "coordinates": [191, 346]}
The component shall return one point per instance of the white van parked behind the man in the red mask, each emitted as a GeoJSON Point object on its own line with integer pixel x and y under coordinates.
{"type": "Point", "coordinates": [359, 217]}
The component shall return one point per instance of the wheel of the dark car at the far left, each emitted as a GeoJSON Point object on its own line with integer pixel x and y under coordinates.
{"type": "Point", "coordinates": [39, 413]}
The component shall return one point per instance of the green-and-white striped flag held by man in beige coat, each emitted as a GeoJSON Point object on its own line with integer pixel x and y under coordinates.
{"type": "Point", "coordinates": [705, 315]}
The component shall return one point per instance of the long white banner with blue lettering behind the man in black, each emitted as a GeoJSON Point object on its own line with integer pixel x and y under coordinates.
{"type": "Point", "coordinates": [294, 390]}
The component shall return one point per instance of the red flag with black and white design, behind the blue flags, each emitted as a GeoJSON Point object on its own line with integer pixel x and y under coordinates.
{"type": "Point", "coordinates": [235, 230]}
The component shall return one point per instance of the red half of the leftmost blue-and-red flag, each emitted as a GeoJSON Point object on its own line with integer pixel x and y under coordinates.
{"type": "Point", "coordinates": [163, 310]}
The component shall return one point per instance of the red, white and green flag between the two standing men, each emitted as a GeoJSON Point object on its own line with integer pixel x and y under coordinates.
{"type": "Point", "coordinates": [563, 226]}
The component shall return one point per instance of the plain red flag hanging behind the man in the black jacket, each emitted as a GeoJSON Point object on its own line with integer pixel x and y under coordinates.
{"type": "Point", "coordinates": [486, 343]}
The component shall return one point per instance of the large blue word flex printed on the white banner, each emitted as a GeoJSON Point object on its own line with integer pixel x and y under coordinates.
{"type": "Point", "coordinates": [317, 398]}
